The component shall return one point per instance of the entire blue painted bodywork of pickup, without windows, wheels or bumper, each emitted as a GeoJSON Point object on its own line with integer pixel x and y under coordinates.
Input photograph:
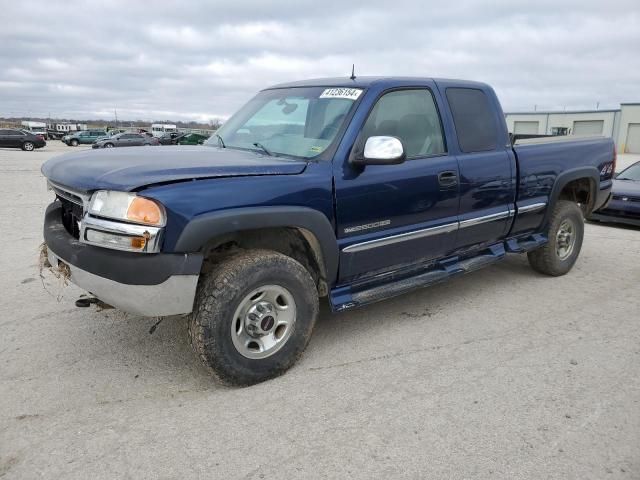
{"type": "Point", "coordinates": [422, 232]}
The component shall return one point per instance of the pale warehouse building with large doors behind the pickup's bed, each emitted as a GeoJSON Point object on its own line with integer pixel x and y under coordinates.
{"type": "Point", "coordinates": [623, 124]}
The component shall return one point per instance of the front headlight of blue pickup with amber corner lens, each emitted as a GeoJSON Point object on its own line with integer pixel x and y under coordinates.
{"type": "Point", "coordinates": [127, 207]}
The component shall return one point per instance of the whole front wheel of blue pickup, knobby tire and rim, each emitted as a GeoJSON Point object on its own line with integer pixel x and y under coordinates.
{"type": "Point", "coordinates": [220, 320]}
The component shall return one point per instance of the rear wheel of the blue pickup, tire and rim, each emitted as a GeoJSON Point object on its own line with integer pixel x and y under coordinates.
{"type": "Point", "coordinates": [565, 233]}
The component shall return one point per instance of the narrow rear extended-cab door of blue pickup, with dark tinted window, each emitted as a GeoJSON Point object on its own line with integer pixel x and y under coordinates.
{"type": "Point", "coordinates": [487, 167]}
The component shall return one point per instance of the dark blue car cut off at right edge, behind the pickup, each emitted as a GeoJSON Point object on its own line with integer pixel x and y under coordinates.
{"type": "Point", "coordinates": [624, 206]}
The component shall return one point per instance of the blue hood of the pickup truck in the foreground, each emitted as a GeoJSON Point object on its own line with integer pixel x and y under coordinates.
{"type": "Point", "coordinates": [130, 168]}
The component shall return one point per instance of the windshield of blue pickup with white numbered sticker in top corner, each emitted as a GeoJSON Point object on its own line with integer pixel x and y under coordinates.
{"type": "Point", "coordinates": [296, 122]}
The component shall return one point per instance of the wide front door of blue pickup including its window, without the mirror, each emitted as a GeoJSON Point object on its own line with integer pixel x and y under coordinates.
{"type": "Point", "coordinates": [392, 216]}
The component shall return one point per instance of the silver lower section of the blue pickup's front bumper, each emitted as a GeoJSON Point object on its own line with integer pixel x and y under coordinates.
{"type": "Point", "coordinates": [174, 296]}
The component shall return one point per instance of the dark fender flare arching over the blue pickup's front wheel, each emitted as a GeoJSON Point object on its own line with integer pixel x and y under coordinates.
{"type": "Point", "coordinates": [199, 232]}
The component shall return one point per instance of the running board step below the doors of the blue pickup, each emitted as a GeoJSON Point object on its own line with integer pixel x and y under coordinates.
{"type": "Point", "coordinates": [397, 283]}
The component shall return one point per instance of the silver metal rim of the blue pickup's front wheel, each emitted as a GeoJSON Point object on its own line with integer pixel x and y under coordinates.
{"type": "Point", "coordinates": [263, 322]}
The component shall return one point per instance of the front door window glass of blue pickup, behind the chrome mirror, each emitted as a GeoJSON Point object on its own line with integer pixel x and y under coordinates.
{"type": "Point", "coordinates": [411, 116]}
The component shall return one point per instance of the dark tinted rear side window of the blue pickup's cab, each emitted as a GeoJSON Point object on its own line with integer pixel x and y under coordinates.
{"type": "Point", "coordinates": [473, 118]}
